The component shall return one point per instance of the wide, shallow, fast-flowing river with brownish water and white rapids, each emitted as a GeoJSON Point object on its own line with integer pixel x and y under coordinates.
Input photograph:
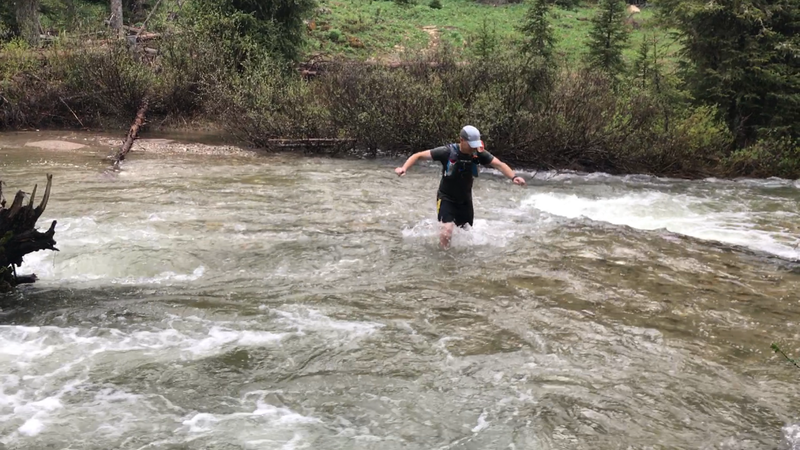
{"type": "Point", "coordinates": [202, 301]}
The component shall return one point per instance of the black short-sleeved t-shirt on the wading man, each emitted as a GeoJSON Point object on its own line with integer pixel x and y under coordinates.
{"type": "Point", "coordinates": [457, 187]}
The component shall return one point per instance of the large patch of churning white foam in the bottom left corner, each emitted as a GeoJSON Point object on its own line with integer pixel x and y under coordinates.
{"type": "Point", "coordinates": [42, 367]}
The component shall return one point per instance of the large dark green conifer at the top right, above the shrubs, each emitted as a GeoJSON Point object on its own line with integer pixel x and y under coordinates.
{"type": "Point", "coordinates": [744, 56]}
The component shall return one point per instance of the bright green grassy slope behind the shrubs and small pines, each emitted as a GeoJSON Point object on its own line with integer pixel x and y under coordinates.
{"type": "Point", "coordinates": [386, 30]}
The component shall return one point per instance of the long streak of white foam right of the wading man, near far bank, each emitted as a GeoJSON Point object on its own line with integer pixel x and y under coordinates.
{"type": "Point", "coordinates": [682, 214]}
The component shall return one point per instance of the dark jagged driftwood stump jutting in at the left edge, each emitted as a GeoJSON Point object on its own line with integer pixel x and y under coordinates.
{"type": "Point", "coordinates": [19, 237]}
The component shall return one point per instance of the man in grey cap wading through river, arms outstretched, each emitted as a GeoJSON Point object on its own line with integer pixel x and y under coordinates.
{"type": "Point", "coordinates": [459, 168]}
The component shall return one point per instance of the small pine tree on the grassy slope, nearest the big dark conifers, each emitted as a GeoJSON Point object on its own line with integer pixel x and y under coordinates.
{"type": "Point", "coordinates": [608, 37]}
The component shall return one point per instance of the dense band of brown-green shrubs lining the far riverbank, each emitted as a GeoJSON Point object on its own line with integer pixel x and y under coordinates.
{"type": "Point", "coordinates": [567, 119]}
